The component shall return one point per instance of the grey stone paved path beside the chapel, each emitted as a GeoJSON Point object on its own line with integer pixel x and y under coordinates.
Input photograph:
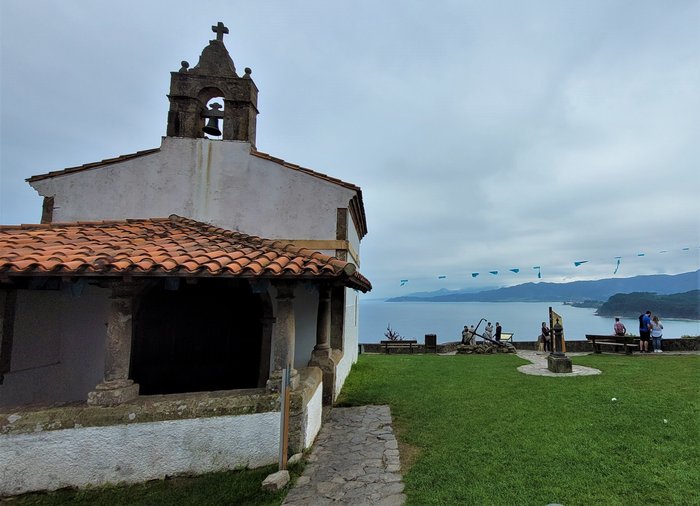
{"type": "Point", "coordinates": [355, 460]}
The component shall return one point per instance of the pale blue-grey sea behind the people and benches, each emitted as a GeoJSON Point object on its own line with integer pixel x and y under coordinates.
{"type": "Point", "coordinates": [412, 320]}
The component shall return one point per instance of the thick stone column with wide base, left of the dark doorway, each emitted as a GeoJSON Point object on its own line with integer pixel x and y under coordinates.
{"type": "Point", "coordinates": [117, 388]}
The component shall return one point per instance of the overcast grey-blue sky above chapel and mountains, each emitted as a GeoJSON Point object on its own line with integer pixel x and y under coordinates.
{"type": "Point", "coordinates": [486, 136]}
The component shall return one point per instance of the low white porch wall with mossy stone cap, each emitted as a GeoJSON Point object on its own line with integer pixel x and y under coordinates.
{"type": "Point", "coordinates": [151, 437]}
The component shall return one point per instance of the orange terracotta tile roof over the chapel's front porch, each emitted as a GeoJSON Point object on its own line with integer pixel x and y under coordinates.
{"type": "Point", "coordinates": [173, 246]}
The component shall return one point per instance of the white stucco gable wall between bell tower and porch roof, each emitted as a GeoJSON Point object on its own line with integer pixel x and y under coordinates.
{"type": "Point", "coordinates": [217, 182]}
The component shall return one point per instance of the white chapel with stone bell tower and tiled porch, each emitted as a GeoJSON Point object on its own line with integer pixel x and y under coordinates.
{"type": "Point", "coordinates": [146, 321]}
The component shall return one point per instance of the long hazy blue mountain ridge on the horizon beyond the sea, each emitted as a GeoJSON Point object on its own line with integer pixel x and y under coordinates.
{"type": "Point", "coordinates": [602, 289]}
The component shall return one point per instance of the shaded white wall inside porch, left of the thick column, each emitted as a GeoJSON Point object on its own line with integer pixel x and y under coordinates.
{"type": "Point", "coordinates": [58, 346]}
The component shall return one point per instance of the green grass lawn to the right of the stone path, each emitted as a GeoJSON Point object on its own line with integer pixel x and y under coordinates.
{"type": "Point", "coordinates": [473, 430]}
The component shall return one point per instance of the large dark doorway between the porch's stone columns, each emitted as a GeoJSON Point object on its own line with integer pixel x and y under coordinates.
{"type": "Point", "coordinates": [197, 337]}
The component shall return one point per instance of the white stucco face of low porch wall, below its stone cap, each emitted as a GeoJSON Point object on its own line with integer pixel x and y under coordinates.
{"type": "Point", "coordinates": [137, 452]}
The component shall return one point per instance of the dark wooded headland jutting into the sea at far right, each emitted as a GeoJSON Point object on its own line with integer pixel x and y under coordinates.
{"type": "Point", "coordinates": [678, 305]}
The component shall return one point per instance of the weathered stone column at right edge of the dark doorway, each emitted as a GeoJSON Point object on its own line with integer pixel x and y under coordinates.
{"type": "Point", "coordinates": [283, 337]}
